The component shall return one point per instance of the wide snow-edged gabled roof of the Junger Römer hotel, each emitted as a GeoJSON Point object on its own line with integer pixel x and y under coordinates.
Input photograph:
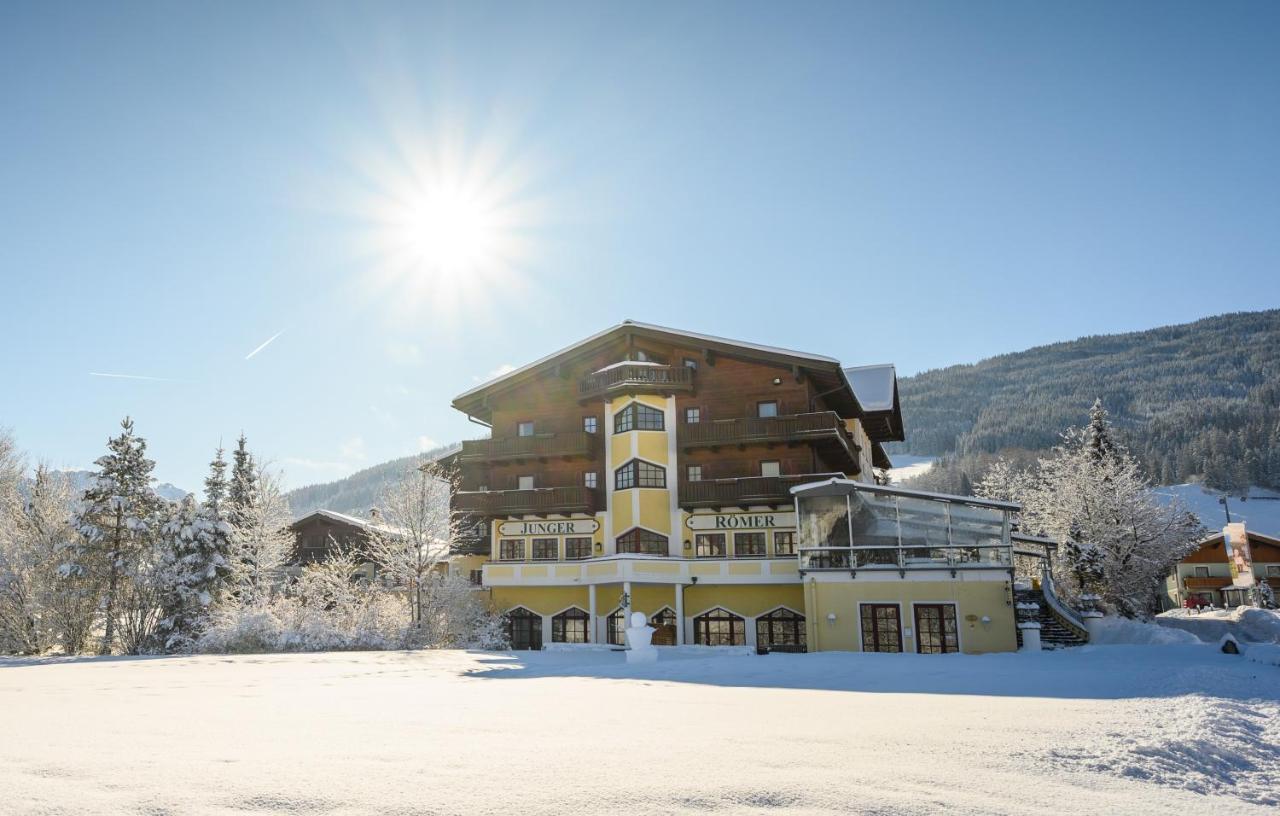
{"type": "Point", "coordinates": [826, 372]}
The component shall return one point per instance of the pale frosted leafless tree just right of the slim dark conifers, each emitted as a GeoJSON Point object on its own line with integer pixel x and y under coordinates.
{"type": "Point", "coordinates": [262, 542]}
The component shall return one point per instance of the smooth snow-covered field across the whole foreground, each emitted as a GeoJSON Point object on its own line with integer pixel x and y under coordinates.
{"type": "Point", "coordinates": [1103, 730]}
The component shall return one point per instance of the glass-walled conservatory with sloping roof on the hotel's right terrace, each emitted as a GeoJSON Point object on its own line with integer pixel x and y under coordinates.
{"type": "Point", "coordinates": [851, 526]}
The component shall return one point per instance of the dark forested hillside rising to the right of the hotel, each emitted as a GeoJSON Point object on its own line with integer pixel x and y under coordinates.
{"type": "Point", "coordinates": [1196, 401]}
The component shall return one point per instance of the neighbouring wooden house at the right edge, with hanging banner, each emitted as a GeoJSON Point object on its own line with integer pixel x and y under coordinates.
{"type": "Point", "coordinates": [1206, 576]}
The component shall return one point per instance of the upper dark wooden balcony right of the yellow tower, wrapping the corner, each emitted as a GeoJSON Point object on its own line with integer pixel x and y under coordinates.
{"type": "Point", "coordinates": [824, 428]}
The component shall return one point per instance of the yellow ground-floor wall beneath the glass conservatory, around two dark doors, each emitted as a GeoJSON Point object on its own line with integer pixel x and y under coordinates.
{"type": "Point", "coordinates": [976, 598]}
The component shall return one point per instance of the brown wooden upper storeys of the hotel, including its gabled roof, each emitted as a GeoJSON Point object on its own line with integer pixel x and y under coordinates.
{"type": "Point", "coordinates": [740, 425]}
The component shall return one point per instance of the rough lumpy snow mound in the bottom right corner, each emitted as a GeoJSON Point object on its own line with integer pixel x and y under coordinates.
{"type": "Point", "coordinates": [1208, 746]}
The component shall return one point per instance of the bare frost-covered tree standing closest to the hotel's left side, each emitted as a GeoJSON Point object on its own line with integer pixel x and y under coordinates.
{"type": "Point", "coordinates": [413, 540]}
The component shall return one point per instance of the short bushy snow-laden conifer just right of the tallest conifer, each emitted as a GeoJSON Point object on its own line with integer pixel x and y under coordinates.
{"type": "Point", "coordinates": [195, 567]}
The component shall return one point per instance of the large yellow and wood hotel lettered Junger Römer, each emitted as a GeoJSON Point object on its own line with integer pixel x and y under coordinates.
{"type": "Point", "coordinates": [726, 490]}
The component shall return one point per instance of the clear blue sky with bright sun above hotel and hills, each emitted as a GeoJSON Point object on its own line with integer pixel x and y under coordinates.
{"type": "Point", "coordinates": [915, 184]}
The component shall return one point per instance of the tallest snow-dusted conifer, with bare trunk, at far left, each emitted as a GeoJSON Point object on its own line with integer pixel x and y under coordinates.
{"type": "Point", "coordinates": [117, 522]}
